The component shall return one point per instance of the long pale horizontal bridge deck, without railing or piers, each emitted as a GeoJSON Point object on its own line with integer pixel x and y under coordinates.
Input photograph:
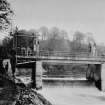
{"type": "Point", "coordinates": [63, 60]}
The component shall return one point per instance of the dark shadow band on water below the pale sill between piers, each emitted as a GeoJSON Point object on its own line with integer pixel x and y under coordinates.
{"type": "Point", "coordinates": [68, 83]}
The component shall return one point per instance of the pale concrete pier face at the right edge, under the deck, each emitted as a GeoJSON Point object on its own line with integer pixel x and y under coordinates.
{"type": "Point", "coordinates": [103, 77]}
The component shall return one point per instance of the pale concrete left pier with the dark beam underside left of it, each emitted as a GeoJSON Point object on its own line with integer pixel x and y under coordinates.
{"type": "Point", "coordinates": [36, 76]}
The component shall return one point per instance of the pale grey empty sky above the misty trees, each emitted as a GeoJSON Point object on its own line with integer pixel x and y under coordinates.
{"type": "Point", "coordinates": [71, 15]}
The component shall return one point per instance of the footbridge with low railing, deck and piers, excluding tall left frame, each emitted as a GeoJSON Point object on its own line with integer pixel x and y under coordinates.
{"type": "Point", "coordinates": [35, 60]}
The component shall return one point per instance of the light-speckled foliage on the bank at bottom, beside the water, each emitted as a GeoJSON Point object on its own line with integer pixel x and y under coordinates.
{"type": "Point", "coordinates": [31, 97]}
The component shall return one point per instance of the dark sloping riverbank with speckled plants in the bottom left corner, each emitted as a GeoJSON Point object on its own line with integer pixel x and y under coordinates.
{"type": "Point", "coordinates": [13, 94]}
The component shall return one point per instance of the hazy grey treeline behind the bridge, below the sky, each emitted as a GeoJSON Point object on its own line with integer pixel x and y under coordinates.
{"type": "Point", "coordinates": [52, 39]}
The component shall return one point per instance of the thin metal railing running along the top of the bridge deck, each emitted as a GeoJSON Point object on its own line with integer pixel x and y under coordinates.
{"type": "Point", "coordinates": [83, 54]}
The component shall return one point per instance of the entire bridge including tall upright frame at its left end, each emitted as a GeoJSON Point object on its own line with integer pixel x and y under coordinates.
{"type": "Point", "coordinates": [34, 59]}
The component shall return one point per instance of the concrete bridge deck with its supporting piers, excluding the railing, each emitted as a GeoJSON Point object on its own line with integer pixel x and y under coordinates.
{"type": "Point", "coordinates": [95, 72]}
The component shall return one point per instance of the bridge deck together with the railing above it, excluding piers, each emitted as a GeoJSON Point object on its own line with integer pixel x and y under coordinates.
{"type": "Point", "coordinates": [63, 57]}
